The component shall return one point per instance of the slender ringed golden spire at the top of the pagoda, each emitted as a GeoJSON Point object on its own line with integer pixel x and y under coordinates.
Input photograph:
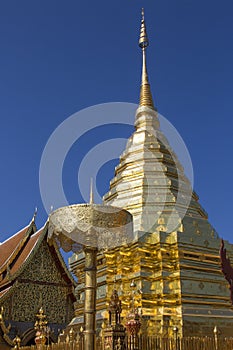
{"type": "Point", "coordinates": [145, 92]}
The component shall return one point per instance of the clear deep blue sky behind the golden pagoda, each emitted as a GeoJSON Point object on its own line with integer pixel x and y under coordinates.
{"type": "Point", "coordinates": [59, 57]}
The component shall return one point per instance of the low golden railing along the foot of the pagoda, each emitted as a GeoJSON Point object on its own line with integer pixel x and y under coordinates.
{"type": "Point", "coordinates": [151, 343]}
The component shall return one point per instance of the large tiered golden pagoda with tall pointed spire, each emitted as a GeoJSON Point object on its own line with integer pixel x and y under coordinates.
{"type": "Point", "coordinates": [174, 257]}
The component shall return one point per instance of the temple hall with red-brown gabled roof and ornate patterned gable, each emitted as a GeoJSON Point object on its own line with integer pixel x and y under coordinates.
{"type": "Point", "coordinates": [33, 275]}
